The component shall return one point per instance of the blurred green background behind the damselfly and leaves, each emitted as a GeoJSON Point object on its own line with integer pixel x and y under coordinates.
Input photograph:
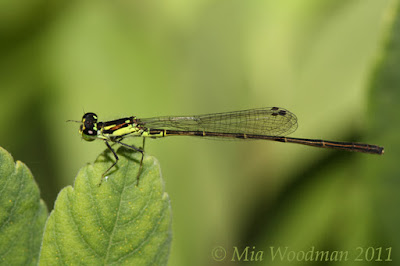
{"type": "Point", "coordinates": [316, 58]}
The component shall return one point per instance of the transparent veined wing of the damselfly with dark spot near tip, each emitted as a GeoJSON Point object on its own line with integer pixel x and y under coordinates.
{"type": "Point", "coordinates": [272, 121]}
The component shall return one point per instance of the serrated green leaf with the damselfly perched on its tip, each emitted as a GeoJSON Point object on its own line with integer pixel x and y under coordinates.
{"type": "Point", "coordinates": [115, 223]}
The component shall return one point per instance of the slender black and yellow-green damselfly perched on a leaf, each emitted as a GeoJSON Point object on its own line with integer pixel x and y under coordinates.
{"type": "Point", "coordinates": [269, 123]}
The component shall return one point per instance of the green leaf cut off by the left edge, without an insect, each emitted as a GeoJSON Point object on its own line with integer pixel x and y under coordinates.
{"type": "Point", "coordinates": [22, 213]}
